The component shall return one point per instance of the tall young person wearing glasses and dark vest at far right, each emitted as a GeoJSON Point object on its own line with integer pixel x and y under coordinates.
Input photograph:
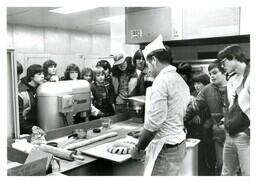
{"type": "Point", "coordinates": [236, 153]}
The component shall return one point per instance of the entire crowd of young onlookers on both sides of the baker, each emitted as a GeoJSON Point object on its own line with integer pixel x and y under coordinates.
{"type": "Point", "coordinates": [204, 118]}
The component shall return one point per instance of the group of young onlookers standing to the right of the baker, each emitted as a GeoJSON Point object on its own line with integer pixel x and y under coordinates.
{"type": "Point", "coordinates": [223, 150]}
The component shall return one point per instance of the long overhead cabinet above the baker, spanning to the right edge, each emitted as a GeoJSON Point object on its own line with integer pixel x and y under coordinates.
{"type": "Point", "coordinates": [143, 25]}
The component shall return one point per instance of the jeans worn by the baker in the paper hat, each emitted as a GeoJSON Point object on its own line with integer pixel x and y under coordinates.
{"type": "Point", "coordinates": [169, 161]}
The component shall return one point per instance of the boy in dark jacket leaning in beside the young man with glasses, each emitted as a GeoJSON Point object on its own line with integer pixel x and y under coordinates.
{"type": "Point", "coordinates": [213, 97]}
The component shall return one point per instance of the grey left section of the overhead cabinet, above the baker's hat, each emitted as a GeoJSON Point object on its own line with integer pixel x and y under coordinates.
{"type": "Point", "coordinates": [145, 25]}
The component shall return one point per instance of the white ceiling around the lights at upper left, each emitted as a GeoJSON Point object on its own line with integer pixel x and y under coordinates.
{"type": "Point", "coordinates": [82, 21]}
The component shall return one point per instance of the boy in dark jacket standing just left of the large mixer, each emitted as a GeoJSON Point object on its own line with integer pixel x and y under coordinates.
{"type": "Point", "coordinates": [27, 92]}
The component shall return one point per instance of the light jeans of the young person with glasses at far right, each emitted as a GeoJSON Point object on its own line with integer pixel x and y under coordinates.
{"type": "Point", "coordinates": [236, 154]}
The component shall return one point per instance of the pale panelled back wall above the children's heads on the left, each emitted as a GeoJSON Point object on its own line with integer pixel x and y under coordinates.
{"type": "Point", "coordinates": [36, 45]}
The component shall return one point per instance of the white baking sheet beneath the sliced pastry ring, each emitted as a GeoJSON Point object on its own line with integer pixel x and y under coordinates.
{"type": "Point", "coordinates": [100, 151]}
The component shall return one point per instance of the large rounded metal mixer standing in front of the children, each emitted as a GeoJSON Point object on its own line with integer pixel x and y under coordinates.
{"type": "Point", "coordinates": [60, 103]}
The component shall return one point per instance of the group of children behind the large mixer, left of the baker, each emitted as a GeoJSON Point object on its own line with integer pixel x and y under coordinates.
{"type": "Point", "coordinates": [105, 95]}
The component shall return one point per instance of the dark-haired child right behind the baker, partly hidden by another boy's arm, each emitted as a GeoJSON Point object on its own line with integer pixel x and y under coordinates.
{"type": "Point", "coordinates": [199, 129]}
